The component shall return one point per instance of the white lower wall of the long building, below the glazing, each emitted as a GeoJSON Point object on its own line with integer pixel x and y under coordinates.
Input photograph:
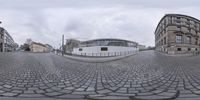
{"type": "Point", "coordinates": [112, 51]}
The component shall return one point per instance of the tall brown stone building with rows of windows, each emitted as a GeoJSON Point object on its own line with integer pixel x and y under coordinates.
{"type": "Point", "coordinates": [178, 34]}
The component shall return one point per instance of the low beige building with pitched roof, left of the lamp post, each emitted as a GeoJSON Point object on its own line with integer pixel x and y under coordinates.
{"type": "Point", "coordinates": [38, 47]}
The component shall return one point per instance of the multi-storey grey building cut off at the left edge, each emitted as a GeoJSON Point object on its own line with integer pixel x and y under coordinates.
{"type": "Point", "coordinates": [7, 43]}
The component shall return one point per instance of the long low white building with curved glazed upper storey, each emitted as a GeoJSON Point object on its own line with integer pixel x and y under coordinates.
{"type": "Point", "coordinates": [105, 47]}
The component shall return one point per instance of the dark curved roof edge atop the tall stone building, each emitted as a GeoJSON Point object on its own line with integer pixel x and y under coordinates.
{"type": "Point", "coordinates": [166, 15]}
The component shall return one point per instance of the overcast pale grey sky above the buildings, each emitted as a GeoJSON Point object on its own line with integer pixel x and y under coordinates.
{"type": "Point", "coordinates": [46, 20]}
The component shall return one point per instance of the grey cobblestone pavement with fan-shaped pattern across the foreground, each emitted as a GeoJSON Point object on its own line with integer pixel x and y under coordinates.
{"type": "Point", "coordinates": [144, 76]}
